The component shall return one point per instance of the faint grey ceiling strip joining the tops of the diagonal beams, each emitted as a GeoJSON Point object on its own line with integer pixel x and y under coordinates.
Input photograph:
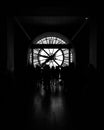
{"type": "Point", "coordinates": [50, 20]}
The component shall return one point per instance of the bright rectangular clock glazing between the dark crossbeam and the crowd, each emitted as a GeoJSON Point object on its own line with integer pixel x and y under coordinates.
{"type": "Point", "coordinates": [52, 57]}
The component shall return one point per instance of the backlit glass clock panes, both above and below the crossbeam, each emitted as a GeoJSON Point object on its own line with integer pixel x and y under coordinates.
{"type": "Point", "coordinates": [52, 57]}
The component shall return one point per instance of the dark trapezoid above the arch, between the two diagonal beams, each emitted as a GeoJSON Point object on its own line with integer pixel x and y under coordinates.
{"type": "Point", "coordinates": [68, 25]}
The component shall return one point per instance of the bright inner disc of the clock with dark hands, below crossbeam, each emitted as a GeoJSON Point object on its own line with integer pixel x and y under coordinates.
{"type": "Point", "coordinates": [51, 57]}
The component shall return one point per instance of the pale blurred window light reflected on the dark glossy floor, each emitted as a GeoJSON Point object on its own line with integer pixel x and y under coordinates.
{"type": "Point", "coordinates": [48, 108]}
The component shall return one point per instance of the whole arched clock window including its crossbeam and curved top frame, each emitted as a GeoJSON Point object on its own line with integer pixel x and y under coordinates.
{"type": "Point", "coordinates": [54, 53]}
